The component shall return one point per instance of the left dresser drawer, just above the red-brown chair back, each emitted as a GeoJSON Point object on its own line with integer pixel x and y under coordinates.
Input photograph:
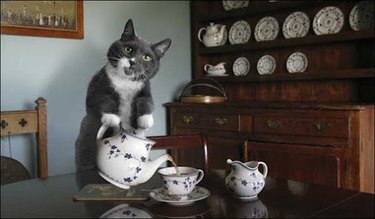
{"type": "Point", "coordinates": [215, 121]}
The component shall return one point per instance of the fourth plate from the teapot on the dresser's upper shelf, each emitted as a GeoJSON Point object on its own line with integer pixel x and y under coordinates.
{"type": "Point", "coordinates": [328, 20]}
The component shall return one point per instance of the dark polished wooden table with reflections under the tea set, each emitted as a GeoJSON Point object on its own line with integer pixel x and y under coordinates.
{"type": "Point", "coordinates": [53, 197]}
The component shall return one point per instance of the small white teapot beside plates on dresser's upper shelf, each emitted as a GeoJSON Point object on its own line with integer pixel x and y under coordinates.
{"type": "Point", "coordinates": [215, 35]}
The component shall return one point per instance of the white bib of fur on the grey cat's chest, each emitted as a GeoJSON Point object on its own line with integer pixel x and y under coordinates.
{"type": "Point", "coordinates": [127, 89]}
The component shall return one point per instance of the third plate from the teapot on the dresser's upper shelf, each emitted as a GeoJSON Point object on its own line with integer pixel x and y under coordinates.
{"type": "Point", "coordinates": [297, 24]}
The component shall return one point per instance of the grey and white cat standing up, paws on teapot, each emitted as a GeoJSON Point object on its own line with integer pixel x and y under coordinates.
{"type": "Point", "coordinates": [119, 95]}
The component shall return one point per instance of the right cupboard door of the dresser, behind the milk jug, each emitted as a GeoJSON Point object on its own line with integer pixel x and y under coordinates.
{"type": "Point", "coordinates": [298, 162]}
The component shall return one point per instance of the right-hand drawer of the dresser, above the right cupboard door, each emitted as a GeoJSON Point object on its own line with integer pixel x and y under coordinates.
{"type": "Point", "coordinates": [302, 126]}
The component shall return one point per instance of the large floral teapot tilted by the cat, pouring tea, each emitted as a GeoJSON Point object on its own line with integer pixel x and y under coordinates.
{"type": "Point", "coordinates": [122, 159]}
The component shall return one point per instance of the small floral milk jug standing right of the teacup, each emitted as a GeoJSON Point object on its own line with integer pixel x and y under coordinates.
{"type": "Point", "coordinates": [245, 181]}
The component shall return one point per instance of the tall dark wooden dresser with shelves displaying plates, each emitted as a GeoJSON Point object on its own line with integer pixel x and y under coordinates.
{"type": "Point", "coordinates": [316, 126]}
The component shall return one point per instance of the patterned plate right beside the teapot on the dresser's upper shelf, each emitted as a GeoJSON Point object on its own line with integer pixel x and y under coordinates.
{"type": "Point", "coordinates": [239, 32]}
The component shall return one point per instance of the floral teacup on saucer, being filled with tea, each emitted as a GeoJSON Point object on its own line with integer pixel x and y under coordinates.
{"type": "Point", "coordinates": [180, 184]}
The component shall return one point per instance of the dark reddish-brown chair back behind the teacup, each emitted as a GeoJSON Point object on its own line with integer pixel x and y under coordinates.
{"type": "Point", "coordinates": [186, 150]}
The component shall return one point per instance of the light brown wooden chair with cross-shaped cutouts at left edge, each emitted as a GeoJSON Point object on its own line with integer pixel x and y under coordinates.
{"type": "Point", "coordinates": [26, 122]}
